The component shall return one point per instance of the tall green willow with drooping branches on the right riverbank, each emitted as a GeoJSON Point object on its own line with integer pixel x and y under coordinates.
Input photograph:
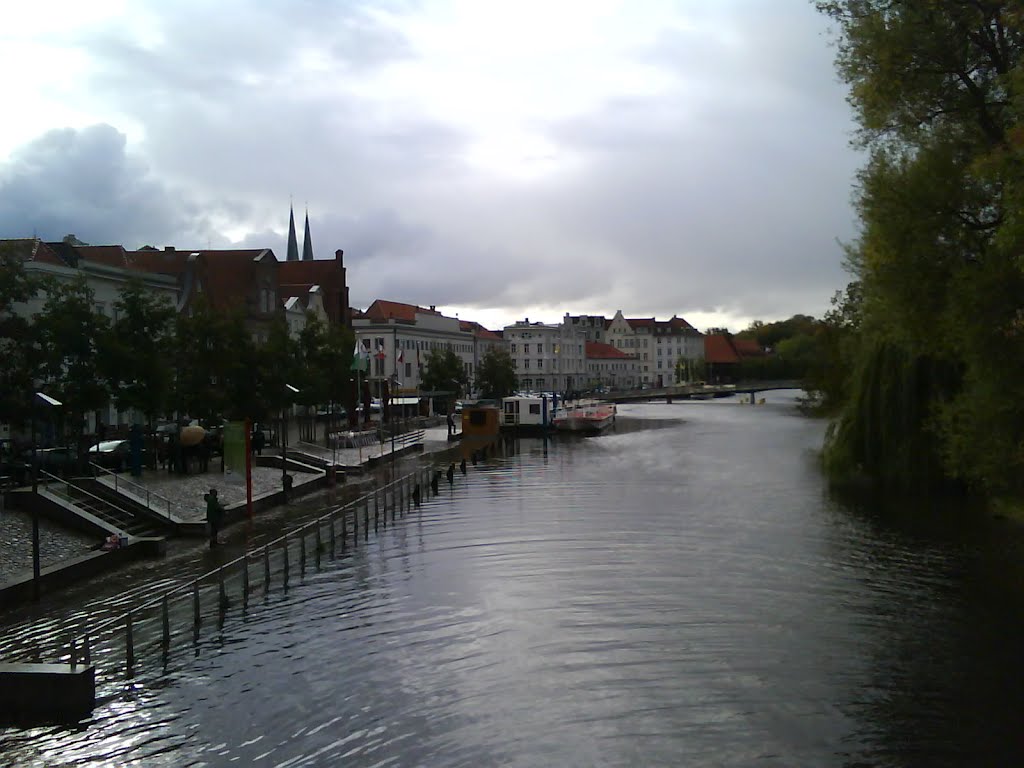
{"type": "Point", "coordinates": [937, 393]}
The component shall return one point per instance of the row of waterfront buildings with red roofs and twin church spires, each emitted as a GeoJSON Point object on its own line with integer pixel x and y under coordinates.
{"type": "Point", "coordinates": [580, 353]}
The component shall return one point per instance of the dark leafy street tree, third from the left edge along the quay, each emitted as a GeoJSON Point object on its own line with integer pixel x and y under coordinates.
{"type": "Point", "coordinates": [138, 356]}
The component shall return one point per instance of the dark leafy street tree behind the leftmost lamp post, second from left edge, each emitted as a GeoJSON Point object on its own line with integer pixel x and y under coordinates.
{"type": "Point", "coordinates": [70, 335]}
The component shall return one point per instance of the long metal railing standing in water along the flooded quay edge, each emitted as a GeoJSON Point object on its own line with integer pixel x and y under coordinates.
{"type": "Point", "coordinates": [151, 625]}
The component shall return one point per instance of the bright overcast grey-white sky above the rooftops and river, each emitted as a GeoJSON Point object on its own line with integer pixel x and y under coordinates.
{"type": "Point", "coordinates": [502, 160]}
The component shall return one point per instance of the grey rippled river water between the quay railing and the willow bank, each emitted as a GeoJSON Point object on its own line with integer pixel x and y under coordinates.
{"type": "Point", "coordinates": [682, 594]}
